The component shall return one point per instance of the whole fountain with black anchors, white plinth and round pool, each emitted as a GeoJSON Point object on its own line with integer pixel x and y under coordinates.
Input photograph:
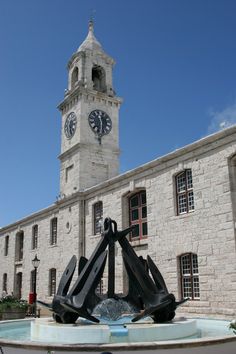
{"type": "Point", "coordinates": [144, 318]}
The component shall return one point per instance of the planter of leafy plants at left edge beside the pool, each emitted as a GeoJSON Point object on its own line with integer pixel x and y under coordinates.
{"type": "Point", "coordinates": [12, 308]}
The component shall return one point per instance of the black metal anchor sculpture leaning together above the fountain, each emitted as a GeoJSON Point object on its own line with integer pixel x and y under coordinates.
{"type": "Point", "coordinates": [148, 295]}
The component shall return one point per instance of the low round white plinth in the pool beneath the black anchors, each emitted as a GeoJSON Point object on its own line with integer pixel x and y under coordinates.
{"type": "Point", "coordinates": [47, 330]}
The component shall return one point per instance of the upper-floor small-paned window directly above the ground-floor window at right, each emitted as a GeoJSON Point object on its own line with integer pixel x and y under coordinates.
{"type": "Point", "coordinates": [184, 191]}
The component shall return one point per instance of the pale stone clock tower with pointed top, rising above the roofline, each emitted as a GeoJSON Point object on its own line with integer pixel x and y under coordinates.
{"type": "Point", "coordinates": [90, 119]}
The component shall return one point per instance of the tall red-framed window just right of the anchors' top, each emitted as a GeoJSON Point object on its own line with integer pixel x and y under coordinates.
{"type": "Point", "coordinates": [138, 215]}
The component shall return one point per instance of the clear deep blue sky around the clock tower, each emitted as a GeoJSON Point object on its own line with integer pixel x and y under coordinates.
{"type": "Point", "coordinates": [176, 70]}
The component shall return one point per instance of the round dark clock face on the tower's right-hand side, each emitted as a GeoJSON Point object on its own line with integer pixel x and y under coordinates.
{"type": "Point", "coordinates": [100, 122]}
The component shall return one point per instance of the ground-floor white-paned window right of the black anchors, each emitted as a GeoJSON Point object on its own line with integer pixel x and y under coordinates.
{"type": "Point", "coordinates": [189, 276]}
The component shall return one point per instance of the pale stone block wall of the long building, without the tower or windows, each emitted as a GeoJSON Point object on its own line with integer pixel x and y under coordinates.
{"type": "Point", "coordinates": [208, 231]}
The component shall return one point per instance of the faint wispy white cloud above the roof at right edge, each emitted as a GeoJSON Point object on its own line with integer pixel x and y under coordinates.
{"type": "Point", "coordinates": [222, 120]}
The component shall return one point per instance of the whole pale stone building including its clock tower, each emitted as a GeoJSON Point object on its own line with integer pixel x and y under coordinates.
{"type": "Point", "coordinates": [183, 204]}
